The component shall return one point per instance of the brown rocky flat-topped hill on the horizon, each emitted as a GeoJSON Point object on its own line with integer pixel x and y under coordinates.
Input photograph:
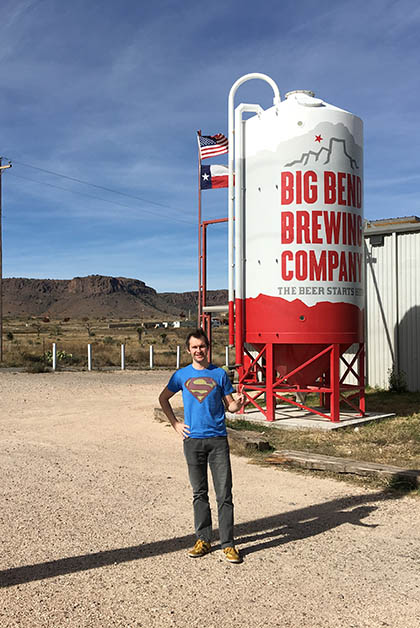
{"type": "Point", "coordinates": [97, 296]}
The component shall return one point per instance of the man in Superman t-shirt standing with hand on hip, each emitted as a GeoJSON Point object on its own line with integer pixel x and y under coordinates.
{"type": "Point", "coordinates": [206, 389]}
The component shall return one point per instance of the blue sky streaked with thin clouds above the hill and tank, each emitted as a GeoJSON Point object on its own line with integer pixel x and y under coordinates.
{"type": "Point", "coordinates": [112, 93]}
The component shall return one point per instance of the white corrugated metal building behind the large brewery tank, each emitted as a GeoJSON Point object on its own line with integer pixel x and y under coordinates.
{"type": "Point", "coordinates": [393, 300]}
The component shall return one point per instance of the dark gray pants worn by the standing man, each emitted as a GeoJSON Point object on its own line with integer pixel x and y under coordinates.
{"type": "Point", "coordinates": [200, 452]}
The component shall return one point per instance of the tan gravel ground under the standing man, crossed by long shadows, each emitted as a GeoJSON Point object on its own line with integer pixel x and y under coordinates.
{"type": "Point", "coordinates": [96, 518]}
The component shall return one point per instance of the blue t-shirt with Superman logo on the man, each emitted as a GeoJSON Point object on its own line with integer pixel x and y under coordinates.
{"type": "Point", "coordinates": [202, 392]}
